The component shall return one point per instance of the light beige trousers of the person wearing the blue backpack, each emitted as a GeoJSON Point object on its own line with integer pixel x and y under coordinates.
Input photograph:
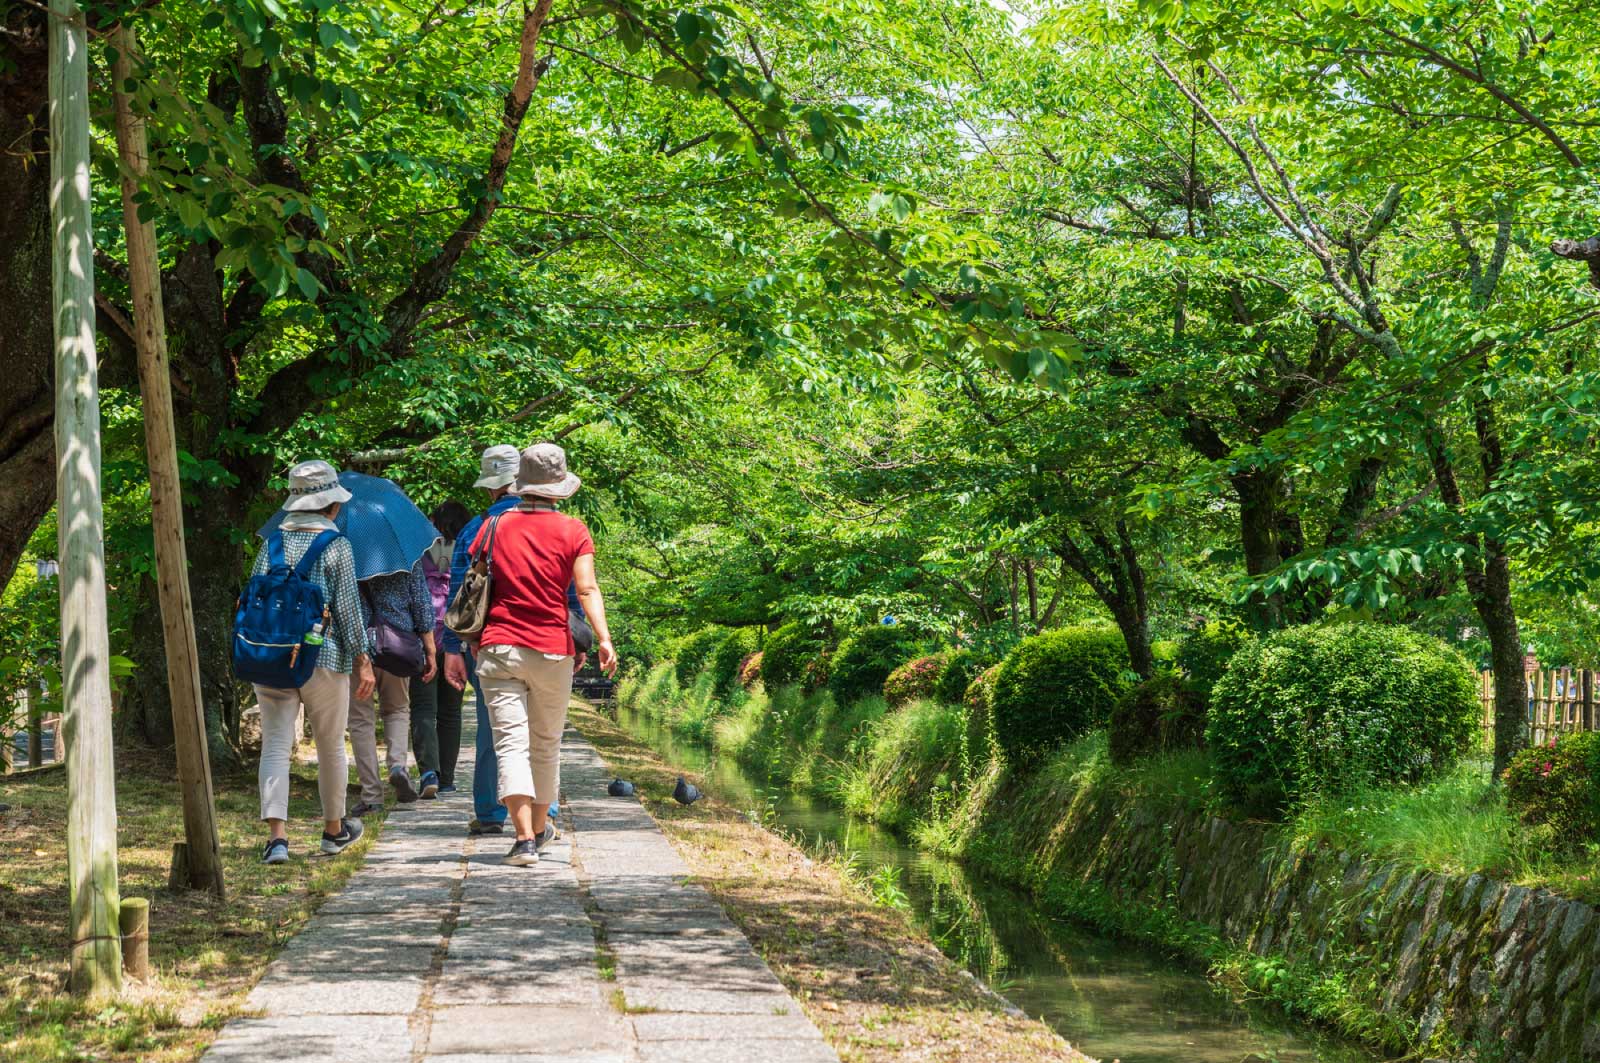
{"type": "Point", "coordinates": [326, 697]}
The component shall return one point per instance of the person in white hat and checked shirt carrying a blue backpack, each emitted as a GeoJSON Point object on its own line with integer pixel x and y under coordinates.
{"type": "Point", "coordinates": [298, 638]}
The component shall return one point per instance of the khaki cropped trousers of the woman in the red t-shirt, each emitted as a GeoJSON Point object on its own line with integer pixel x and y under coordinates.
{"type": "Point", "coordinates": [527, 694]}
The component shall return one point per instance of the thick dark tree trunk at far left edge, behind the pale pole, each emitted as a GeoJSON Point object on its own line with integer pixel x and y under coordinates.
{"type": "Point", "coordinates": [28, 452]}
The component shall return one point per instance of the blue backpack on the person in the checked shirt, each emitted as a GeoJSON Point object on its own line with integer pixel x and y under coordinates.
{"type": "Point", "coordinates": [276, 614]}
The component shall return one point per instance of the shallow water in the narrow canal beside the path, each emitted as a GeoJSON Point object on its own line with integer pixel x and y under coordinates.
{"type": "Point", "coordinates": [1111, 1000]}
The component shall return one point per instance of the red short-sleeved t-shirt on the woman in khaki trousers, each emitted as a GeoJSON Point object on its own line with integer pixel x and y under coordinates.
{"type": "Point", "coordinates": [534, 568]}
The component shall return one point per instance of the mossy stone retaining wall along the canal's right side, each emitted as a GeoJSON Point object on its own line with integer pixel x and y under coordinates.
{"type": "Point", "coordinates": [1502, 971]}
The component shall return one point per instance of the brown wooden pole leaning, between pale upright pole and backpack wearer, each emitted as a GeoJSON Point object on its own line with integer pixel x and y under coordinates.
{"type": "Point", "coordinates": [167, 507]}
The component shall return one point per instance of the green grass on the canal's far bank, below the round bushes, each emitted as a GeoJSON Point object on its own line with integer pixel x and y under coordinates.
{"type": "Point", "coordinates": [1042, 830]}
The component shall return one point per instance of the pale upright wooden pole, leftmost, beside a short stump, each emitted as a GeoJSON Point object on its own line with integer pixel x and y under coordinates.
{"type": "Point", "coordinates": [86, 651]}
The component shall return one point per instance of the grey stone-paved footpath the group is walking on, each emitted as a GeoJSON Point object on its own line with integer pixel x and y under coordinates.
{"type": "Point", "coordinates": [439, 953]}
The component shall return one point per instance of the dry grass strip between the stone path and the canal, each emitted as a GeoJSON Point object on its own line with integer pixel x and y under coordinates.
{"type": "Point", "coordinates": [870, 981]}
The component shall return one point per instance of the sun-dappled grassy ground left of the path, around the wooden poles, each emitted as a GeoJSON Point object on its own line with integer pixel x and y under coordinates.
{"type": "Point", "coordinates": [204, 957]}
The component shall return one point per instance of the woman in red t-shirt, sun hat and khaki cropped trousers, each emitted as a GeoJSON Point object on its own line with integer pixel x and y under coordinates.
{"type": "Point", "coordinates": [526, 654]}
